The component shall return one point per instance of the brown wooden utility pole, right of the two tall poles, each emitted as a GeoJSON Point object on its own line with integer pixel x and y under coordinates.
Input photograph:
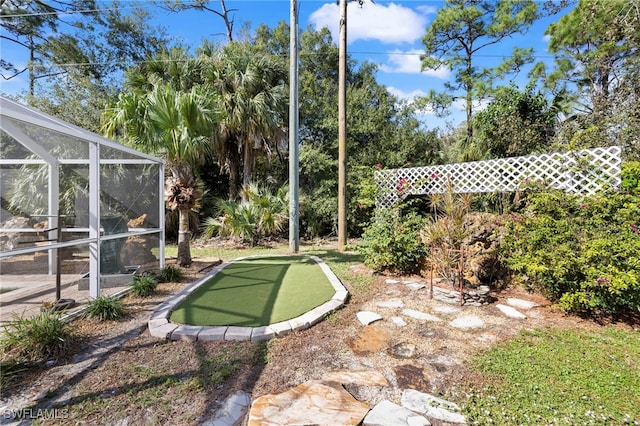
{"type": "Point", "coordinates": [342, 130]}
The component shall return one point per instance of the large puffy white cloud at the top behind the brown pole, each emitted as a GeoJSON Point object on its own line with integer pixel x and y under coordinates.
{"type": "Point", "coordinates": [389, 24]}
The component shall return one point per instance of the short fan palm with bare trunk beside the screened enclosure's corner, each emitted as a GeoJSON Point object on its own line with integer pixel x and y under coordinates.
{"type": "Point", "coordinates": [176, 125]}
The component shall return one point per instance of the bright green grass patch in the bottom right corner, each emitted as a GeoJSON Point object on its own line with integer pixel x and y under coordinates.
{"type": "Point", "coordinates": [558, 376]}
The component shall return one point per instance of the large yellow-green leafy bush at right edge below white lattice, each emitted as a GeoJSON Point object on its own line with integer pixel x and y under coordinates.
{"type": "Point", "coordinates": [582, 252]}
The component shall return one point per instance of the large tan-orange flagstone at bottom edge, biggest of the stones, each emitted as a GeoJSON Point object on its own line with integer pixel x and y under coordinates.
{"type": "Point", "coordinates": [311, 403]}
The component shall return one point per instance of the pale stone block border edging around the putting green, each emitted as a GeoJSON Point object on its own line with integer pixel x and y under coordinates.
{"type": "Point", "coordinates": [160, 326]}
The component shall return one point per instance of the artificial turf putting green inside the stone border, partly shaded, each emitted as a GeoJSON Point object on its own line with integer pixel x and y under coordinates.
{"type": "Point", "coordinates": [255, 292]}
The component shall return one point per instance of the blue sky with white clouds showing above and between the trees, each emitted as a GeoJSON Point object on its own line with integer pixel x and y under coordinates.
{"type": "Point", "coordinates": [388, 34]}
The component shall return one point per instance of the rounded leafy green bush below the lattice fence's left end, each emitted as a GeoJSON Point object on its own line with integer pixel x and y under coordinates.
{"type": "Point", "coordinates": [392, 242]}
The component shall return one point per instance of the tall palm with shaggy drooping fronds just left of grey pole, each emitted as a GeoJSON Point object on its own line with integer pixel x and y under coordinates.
{"type": "Point", "coordinates": [253, 92]}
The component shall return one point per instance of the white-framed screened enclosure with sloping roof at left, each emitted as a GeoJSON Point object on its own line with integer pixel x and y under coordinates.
{"type": "Point", "coordinates": [79, 213]}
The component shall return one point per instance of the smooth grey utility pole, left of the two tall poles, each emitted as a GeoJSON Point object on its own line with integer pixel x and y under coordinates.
{"type": "Point", "coordinates": [294, 206]}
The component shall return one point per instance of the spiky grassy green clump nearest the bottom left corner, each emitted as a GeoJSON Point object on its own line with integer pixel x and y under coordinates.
{"type": "Point", "coordinates": [38, 337]}
